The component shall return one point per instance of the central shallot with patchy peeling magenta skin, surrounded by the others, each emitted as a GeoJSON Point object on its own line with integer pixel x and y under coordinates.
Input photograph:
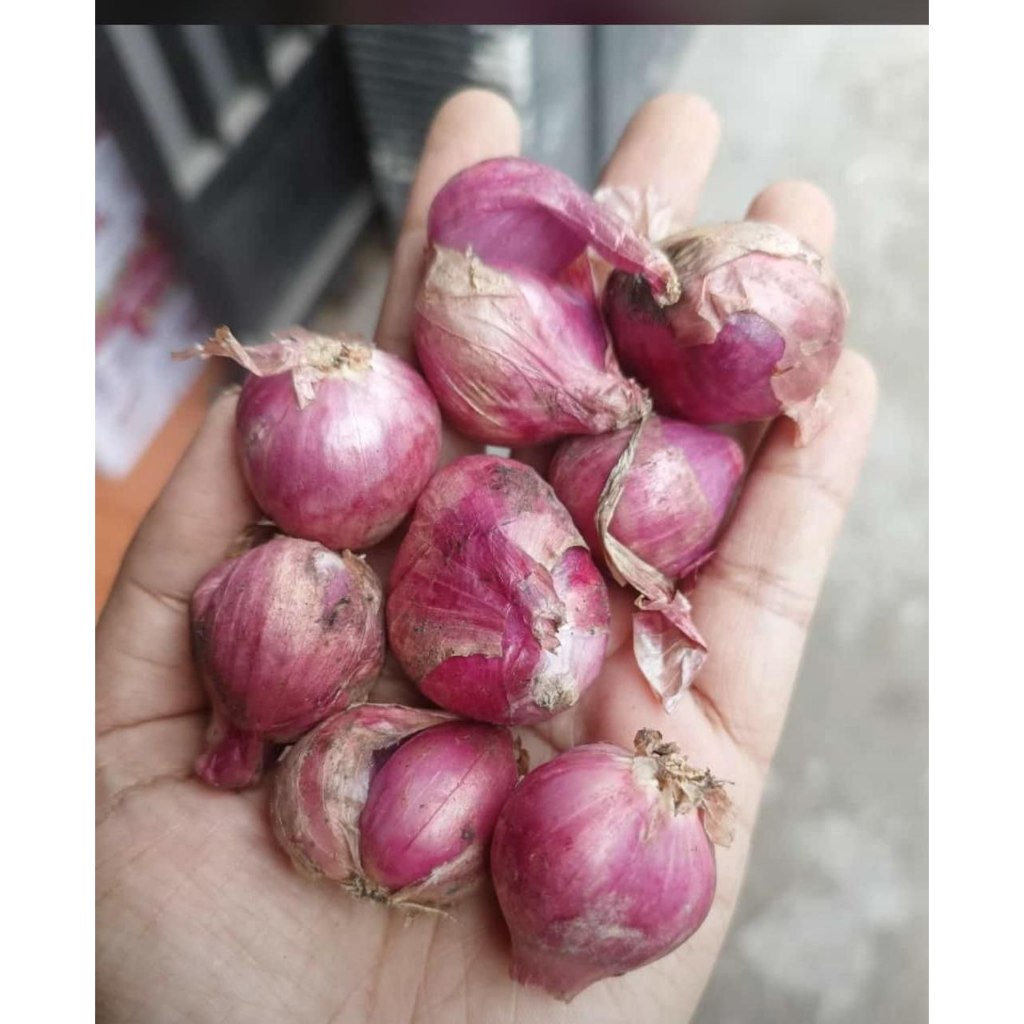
{"type": "Point", "coordinates": [495, 608]}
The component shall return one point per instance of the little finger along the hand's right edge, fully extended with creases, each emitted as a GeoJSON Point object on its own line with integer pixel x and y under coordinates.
{"type": "Point", "coordinates": [756, 598]}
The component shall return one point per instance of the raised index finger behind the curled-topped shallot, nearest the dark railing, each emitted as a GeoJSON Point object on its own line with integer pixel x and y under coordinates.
{"type": "Point", "coordinates": [474, 125]}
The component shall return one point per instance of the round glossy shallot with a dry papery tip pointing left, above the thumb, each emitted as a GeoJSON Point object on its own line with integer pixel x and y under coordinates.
{"type": "Point", "coordinates": [336, 439]}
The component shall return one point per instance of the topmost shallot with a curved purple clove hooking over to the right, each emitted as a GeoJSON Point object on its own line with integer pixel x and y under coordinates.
{"type": "Point", "coordinates": [507, 328]}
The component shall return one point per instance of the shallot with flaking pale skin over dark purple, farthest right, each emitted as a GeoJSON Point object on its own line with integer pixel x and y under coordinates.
{"type": "Point", "coordinates": [757, 332]}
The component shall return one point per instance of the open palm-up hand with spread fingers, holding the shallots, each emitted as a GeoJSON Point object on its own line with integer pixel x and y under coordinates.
{"type": "Point", "coordinates": [200, 916]}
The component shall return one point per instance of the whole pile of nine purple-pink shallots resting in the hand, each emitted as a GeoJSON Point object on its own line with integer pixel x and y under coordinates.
{"type": "Point", "coordinates": [536, 297]}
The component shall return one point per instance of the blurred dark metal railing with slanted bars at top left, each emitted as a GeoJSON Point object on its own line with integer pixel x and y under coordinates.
{"type": "Point", "coordinates": [246, 142]}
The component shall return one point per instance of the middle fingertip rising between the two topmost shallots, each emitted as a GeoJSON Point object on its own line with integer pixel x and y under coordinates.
{"type": "Point", "coordinates": [669, 146]}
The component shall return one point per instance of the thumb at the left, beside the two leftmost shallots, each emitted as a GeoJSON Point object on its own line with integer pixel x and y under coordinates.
{"type": "Point", "coordinates": [144, 667]}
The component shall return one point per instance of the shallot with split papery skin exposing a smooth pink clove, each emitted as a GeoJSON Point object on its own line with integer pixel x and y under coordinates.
{"type": "Point", "coordinates": [382, 799]}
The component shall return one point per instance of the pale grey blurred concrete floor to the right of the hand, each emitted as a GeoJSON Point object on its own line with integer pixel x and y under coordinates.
{"type": "Point", "coordinates": [832, 928]}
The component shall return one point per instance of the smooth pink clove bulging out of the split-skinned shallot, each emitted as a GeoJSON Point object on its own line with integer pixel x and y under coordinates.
{"type": "Point", "coordinates": [434, 804]}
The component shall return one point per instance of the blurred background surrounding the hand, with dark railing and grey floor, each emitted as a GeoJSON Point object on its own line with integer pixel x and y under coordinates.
{"type": "Point", "coordinates": [254, 177]}
